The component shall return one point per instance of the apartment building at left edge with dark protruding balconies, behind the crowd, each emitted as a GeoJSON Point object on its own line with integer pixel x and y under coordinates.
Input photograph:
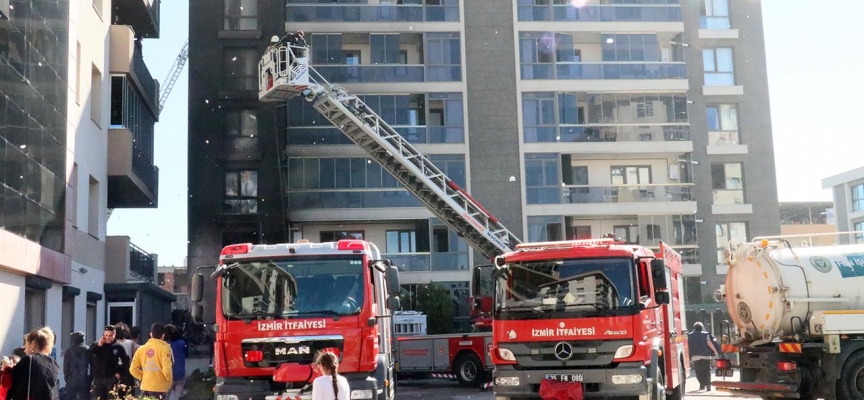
{"type": "Point", "coordinates": [77, 111]}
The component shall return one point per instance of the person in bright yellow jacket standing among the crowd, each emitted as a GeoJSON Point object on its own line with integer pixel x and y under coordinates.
{"type": "Point", "coordinates": [153, 365]}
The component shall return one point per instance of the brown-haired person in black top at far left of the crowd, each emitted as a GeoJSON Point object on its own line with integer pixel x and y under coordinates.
{"type": "Point", "coordinates": [35, 375]}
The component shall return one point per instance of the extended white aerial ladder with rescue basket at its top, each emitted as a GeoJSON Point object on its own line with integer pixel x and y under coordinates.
{"type": "Point", "coordinates": [284, 72]}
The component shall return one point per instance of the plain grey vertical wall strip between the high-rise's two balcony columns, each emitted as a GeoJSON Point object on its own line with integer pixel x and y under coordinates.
{"type": "Point", "coordinates": [490, 51]}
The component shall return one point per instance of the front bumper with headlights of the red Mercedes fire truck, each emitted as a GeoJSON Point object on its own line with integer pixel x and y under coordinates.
{"type": "Point", "coordinates": [632, 381]}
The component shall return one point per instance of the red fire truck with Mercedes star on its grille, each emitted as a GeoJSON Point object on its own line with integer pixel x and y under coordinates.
{"type": "Point", "coordinates": [591, 316]}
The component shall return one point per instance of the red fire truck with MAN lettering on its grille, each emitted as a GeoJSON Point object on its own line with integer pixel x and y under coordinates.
{"type": "Point", "coordinates": [278, 305]}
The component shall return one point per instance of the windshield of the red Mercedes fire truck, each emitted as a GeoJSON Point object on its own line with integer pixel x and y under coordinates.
{"type": "Point", "coordinates": [544, 289]}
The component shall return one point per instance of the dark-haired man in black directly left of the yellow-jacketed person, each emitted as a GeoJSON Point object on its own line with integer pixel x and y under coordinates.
{"type": "Point", "coordinates": [108, 361]}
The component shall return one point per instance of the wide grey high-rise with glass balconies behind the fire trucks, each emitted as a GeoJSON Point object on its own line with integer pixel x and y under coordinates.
{"type": "Point", "coordinates": [565, 119]}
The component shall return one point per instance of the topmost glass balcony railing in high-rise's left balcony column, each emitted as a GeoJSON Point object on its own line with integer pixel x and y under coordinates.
{"type": "Point", "coordinates": [371, 13]}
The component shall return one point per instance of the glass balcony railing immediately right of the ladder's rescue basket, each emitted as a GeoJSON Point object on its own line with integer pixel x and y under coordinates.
{"type": "Point", "coordinates": [390, 73]}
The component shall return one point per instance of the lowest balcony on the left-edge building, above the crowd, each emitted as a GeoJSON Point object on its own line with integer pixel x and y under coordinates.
{"type": "Point", "coordinates": [127, 263]}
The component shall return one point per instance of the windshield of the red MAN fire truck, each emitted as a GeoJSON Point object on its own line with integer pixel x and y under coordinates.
{"type": "Point", "coordinates": [293, 287]}
